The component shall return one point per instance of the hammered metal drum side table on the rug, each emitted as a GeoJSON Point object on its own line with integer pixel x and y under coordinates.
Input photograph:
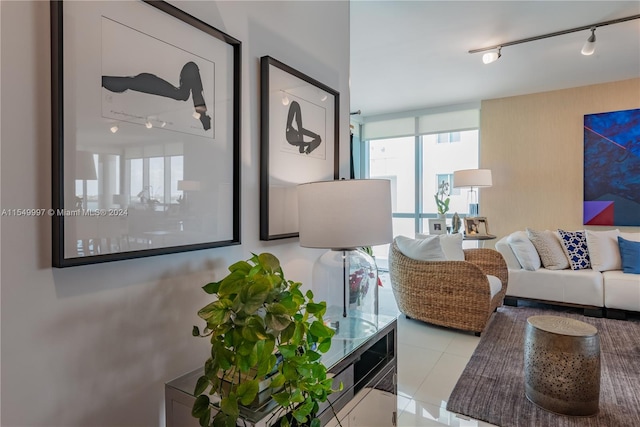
{"type": "Point", "coordinates": [562, 365]}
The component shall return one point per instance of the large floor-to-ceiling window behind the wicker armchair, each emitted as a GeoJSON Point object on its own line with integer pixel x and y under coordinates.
{"type": "Point", "coordinates": [416, 164]}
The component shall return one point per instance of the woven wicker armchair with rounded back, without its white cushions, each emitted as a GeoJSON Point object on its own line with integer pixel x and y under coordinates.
{"type": "Point", "coordinates": [454, 294]}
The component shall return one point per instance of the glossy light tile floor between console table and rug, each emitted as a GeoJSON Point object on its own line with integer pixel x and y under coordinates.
{"type": "Point", "coordinates": [430, 361]}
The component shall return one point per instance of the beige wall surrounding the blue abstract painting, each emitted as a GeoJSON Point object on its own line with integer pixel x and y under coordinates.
{"type": "Point", "coordinates": [534, 146]}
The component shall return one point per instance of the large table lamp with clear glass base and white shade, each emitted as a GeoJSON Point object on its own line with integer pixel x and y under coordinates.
{"type": "Point", "coordinates": [342, 216]}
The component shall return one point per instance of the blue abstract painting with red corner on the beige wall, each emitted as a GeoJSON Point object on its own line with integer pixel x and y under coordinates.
{"type": "Point", "coordinates": [612, 168]}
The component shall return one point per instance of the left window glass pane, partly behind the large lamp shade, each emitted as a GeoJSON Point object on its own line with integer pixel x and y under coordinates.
{"type": "Point", "coordinates": [394, 159]}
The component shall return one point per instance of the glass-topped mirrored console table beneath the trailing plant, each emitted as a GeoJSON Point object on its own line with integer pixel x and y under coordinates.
{"type": "Point", "coordinates": [367, 368]}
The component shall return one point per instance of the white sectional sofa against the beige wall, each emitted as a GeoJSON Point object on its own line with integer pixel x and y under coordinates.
{"type": "Point", "coordinates": [603, 286]}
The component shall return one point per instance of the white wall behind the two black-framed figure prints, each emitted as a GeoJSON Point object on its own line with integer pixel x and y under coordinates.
{"type": "Point", "coordinates": [94, 345]}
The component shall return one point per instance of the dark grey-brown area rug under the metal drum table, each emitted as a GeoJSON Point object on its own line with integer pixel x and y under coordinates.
{"type": "Point", "coordinates": [491, 387]}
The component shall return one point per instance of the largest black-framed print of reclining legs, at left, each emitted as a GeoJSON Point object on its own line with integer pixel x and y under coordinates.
{"type": "Point", "coordinates": [145, 132]}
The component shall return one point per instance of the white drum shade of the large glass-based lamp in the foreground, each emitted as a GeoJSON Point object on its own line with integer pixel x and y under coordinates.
{"type": "Point", "coordinates": [345, 214]}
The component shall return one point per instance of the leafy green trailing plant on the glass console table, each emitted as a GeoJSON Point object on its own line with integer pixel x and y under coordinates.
{"type": "Point", "coordinates": [257, 315]}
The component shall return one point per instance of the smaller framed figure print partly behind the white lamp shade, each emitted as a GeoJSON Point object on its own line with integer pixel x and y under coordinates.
{"type": "Point", "coordinates": [299, 142]}
